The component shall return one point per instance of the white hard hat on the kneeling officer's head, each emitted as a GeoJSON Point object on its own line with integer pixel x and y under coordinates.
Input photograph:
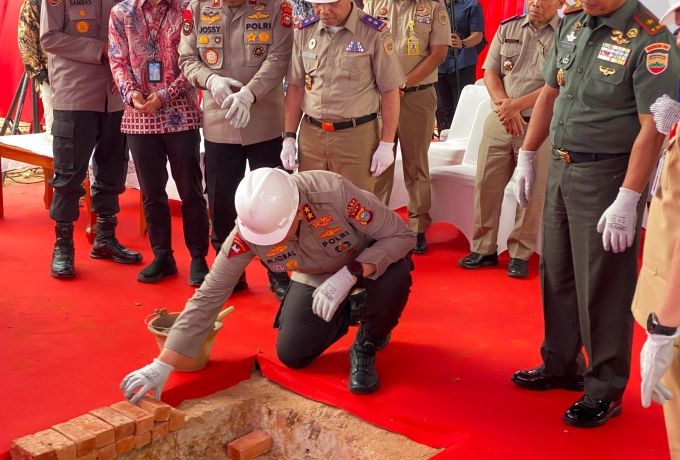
{"type": "Point", "coordinates": [266, 203]}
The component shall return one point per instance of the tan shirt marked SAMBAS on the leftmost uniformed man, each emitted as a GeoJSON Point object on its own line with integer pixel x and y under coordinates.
{"type": "Point", "coordinates": [74, 34]}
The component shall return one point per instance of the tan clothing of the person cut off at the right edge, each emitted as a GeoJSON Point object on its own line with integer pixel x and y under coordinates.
{"type": "Point", "coordinates": [663, 231]}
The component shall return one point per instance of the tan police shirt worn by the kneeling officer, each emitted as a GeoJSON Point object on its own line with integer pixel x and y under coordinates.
{"type": "Point", "coordinates": [341, 223]}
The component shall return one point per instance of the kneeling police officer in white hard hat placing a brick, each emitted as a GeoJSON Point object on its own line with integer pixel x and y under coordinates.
{"type": "Point", "coordinates": [333, 237]}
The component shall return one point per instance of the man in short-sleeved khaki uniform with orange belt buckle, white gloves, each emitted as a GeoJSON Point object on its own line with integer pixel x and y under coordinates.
{"type": "Point", "coordinates": [343, 65]}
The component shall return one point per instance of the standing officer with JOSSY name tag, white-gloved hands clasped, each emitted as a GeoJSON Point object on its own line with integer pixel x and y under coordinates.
{"type": "Point", "coordinates": [239, 51]}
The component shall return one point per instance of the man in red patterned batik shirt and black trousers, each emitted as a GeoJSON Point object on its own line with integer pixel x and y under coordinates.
{"type": "Point", "coordinates": [162, 119]}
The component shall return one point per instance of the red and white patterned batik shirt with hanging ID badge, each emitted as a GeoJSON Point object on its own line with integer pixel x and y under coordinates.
{"type": "Point", "coordinates": [140, 33]}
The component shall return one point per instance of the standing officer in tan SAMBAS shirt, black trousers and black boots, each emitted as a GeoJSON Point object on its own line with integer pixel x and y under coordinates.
{"type": "Point", "coordinates": [87, 116]}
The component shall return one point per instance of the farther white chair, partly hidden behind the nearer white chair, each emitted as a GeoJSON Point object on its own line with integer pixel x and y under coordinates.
{"type": "Point", "coordinates": [451, 151]}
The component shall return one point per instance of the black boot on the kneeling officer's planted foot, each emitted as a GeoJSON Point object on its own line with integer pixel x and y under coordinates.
{"type": "Point", "coordinates": [363, 378]}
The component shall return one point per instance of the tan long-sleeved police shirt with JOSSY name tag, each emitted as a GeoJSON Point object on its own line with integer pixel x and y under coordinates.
{"type": "Point", "coordinates": [251, 45]}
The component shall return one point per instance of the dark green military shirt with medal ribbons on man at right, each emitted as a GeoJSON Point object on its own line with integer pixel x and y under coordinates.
{"type": "Point", "coordinates": [610, 69]}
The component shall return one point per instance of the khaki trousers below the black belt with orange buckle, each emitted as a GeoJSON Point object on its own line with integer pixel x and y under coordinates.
{"type": "Point", "coordinates": [347, 152]}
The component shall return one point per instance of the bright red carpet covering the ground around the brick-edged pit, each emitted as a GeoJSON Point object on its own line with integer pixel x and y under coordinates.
{"type": "Point", "coordinates": [445, 374]}
